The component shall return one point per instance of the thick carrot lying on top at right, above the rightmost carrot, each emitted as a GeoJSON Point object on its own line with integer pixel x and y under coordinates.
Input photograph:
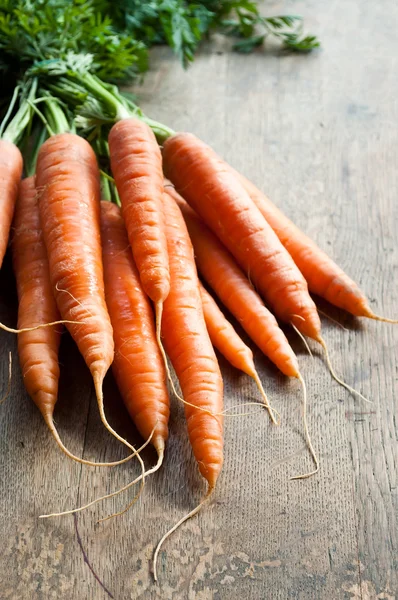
{"type": "Point", "coordinates": [219, 198]}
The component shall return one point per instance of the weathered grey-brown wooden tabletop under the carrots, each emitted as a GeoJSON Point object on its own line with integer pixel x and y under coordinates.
{"type": "Point", "coordinates": [319, 134]}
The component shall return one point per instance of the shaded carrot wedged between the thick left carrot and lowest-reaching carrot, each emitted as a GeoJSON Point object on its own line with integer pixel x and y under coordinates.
{"type": "Point", "coordinates": [138, 366]}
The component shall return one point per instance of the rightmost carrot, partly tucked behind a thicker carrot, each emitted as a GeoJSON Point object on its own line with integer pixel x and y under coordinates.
{"type": "Point", "coordinates": [324, 277]}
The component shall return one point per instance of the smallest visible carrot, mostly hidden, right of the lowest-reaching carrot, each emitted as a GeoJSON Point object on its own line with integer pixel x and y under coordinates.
{"type": "Point", "coordinates": [224, 337]}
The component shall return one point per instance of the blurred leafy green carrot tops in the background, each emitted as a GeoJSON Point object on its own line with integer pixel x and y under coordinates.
{"type": "Point", "coordinates": [118, 33]}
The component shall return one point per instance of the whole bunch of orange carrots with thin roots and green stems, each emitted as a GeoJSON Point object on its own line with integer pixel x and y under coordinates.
{"type": "Point", "coordinates": [115, 254]}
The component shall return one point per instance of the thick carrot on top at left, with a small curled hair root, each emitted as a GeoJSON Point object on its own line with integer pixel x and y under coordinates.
{"type": "Point", "coordinates": [69, 205]}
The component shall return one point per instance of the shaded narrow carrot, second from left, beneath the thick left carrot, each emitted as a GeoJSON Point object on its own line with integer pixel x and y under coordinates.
{"type": "Point", "coordinates": [38, 350]}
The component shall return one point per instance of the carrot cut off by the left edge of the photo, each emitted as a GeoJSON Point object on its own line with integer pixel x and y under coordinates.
{"type": "Point", "coordinates": [11, 164]}
